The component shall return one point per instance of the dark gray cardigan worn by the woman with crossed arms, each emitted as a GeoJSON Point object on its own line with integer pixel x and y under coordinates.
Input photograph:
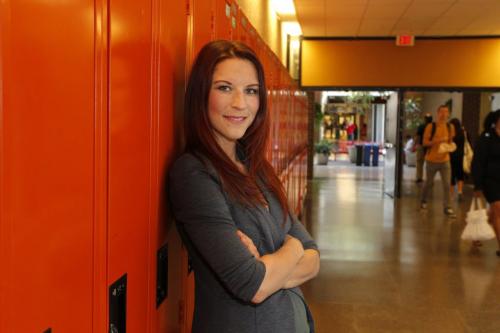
{"type": "Point", "coordinates": [227, 276]}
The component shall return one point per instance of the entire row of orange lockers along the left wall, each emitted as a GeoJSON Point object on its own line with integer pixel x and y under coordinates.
{"type": "Point", "coordinates": [89, 126]}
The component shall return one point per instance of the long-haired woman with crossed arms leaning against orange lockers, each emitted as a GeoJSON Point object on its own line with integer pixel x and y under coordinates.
{"type": "Point", "coordinates": [249, 254]}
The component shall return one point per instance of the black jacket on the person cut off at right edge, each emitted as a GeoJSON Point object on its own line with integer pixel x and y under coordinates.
{"type": "Point", "coordinates": [486, 162]}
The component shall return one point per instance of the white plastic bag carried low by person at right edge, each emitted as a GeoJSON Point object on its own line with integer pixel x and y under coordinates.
{"type": "Point", "coordinates": [477, 228]}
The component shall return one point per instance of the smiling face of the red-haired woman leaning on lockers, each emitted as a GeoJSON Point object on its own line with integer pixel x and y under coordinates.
{"type": "Point", "coordinates": [233, 100]}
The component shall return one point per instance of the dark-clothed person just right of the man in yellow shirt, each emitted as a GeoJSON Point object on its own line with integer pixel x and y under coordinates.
{"type": "Point", "coordinates": [456, 159]}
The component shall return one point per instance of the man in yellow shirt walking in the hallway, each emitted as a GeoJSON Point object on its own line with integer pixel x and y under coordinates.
{"type": "Point", "coordinates": [438, 160]}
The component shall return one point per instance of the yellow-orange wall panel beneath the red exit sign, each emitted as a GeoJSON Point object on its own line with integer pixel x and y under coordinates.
{"type": "Point", "coordinates": [380, 63]}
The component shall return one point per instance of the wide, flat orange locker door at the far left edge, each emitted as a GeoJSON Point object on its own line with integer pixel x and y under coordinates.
{"type": "Point", "coordinates": [47, 133]}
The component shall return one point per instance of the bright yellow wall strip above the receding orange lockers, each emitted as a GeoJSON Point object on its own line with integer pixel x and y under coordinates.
{"type": "Point", "coordinates": [265, 20]}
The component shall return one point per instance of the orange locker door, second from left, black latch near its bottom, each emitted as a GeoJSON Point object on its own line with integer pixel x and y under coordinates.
{"type": "Point", "coordinates": [130, 131]}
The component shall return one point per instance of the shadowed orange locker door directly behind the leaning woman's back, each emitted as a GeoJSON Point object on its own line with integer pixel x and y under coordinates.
{"type": "Point", "coordinates": [169, 77]}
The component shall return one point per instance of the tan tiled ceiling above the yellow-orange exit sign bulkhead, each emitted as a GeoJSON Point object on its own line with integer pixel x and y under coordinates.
{"type": "Point", "coordinates": [359, 18]}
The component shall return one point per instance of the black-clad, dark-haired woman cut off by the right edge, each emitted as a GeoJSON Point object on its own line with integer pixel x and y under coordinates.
{"type": "Point", "coordinates": [486, 169]}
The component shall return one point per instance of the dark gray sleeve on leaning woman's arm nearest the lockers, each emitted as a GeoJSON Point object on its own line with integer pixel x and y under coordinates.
{"type": "Point", "coordinates": [200, 208]}
